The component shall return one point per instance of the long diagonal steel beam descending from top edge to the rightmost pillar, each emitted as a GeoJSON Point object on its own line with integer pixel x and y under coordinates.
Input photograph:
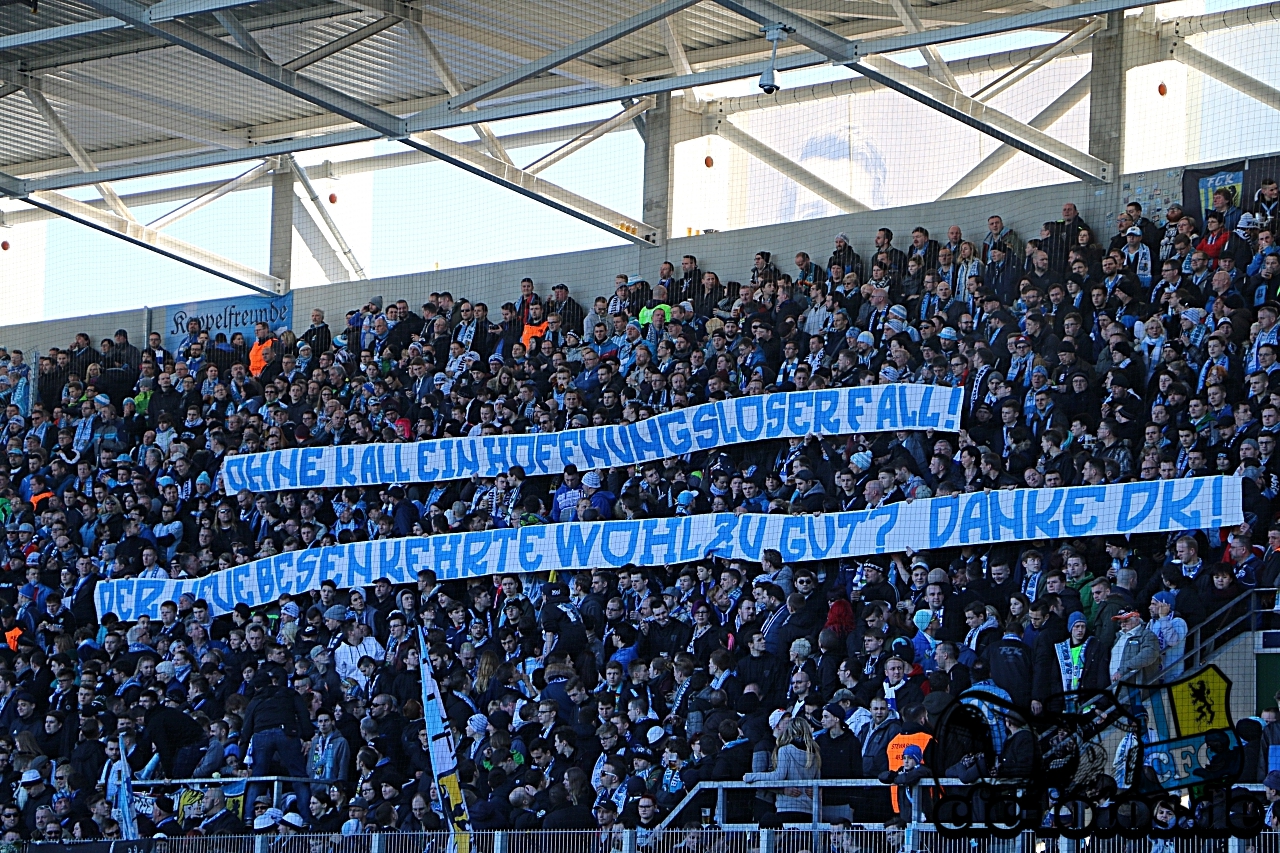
{"type": "Point", "coordinates": [931, 93]}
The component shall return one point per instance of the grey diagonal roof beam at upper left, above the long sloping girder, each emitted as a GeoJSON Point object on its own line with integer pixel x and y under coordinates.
{"type": "Point", "coordinates": [246, 63]}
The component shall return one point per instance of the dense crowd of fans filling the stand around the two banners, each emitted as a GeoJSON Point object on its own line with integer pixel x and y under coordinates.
{"type": "Point", "coordinates": [602, 700]}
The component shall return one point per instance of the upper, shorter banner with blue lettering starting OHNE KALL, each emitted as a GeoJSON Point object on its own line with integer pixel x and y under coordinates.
{"type": "Point", "coordinates": [838, 412]}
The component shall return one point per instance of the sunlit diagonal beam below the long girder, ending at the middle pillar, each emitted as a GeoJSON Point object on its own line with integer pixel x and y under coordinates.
{"type": "Point", "coordinates": [534, 188]}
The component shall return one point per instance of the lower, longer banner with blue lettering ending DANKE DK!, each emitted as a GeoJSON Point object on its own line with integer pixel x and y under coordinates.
{"type": "Point", "coordinates": [981, 518]}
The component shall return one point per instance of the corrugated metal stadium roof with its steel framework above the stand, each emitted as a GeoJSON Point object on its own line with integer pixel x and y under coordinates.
{"type": "Point", "coordinates": [104, 90]}
